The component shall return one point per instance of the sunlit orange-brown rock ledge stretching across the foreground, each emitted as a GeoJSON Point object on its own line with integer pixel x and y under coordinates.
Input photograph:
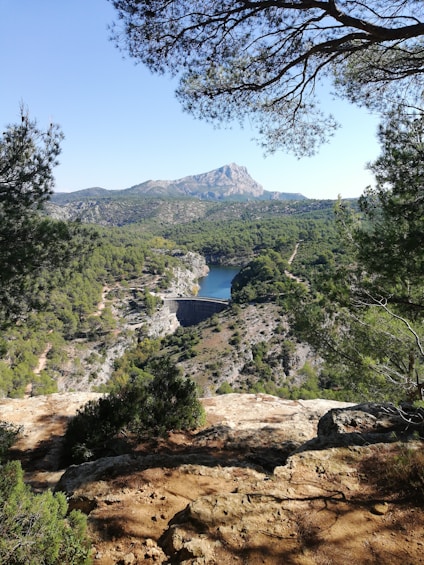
{"type": "Point", "coordinates": [256, 485]}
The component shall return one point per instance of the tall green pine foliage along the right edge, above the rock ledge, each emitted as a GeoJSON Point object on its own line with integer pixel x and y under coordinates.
{"type": "Point", "coordinates": [366, 318]}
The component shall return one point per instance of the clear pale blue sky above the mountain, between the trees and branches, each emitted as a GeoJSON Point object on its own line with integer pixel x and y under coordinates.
{"type": "Point", "coordinates": [123, 125]}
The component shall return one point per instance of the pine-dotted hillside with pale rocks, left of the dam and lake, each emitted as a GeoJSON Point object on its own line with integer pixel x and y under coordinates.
{"type": "Point", "coordinates": [80, 317]}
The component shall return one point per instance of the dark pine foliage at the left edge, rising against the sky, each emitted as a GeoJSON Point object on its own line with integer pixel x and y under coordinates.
{"type": "Point", "coordinates": [30, 243]}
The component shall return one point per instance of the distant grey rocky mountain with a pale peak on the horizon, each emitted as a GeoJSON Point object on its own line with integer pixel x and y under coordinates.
{"type": "Point", "coordinates": [228, 183]}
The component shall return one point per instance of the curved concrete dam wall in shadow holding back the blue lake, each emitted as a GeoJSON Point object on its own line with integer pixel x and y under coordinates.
{"type": "Point", "coordinates": [192, 311]}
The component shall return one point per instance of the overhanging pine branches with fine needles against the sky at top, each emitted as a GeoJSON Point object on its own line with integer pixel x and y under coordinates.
{"type": "Point", "coordinates": [265, 60]}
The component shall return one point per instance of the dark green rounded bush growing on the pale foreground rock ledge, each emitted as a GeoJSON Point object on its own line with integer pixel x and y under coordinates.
{"type": "Point", "coordinates": [145, 405]}
